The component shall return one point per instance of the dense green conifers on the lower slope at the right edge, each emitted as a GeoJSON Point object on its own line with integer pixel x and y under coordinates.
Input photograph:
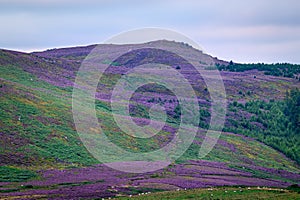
{"type": "Point", "coordinates": [275, 123]}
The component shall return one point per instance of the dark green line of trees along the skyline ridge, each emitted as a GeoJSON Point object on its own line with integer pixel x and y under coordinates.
{"type": "Point", "coordinates": [277, 69]}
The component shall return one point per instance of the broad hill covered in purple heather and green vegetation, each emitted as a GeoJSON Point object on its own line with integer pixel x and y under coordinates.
{"type": "Point", "coordinates": [42, 155]}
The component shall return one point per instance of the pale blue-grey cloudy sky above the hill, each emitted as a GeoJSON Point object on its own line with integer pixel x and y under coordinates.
{"type": "Point", "coordinates": [243, 31]}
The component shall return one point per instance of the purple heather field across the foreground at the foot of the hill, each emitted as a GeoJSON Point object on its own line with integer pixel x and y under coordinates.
{"type": "Point", "coordinates": [99, 181]}
